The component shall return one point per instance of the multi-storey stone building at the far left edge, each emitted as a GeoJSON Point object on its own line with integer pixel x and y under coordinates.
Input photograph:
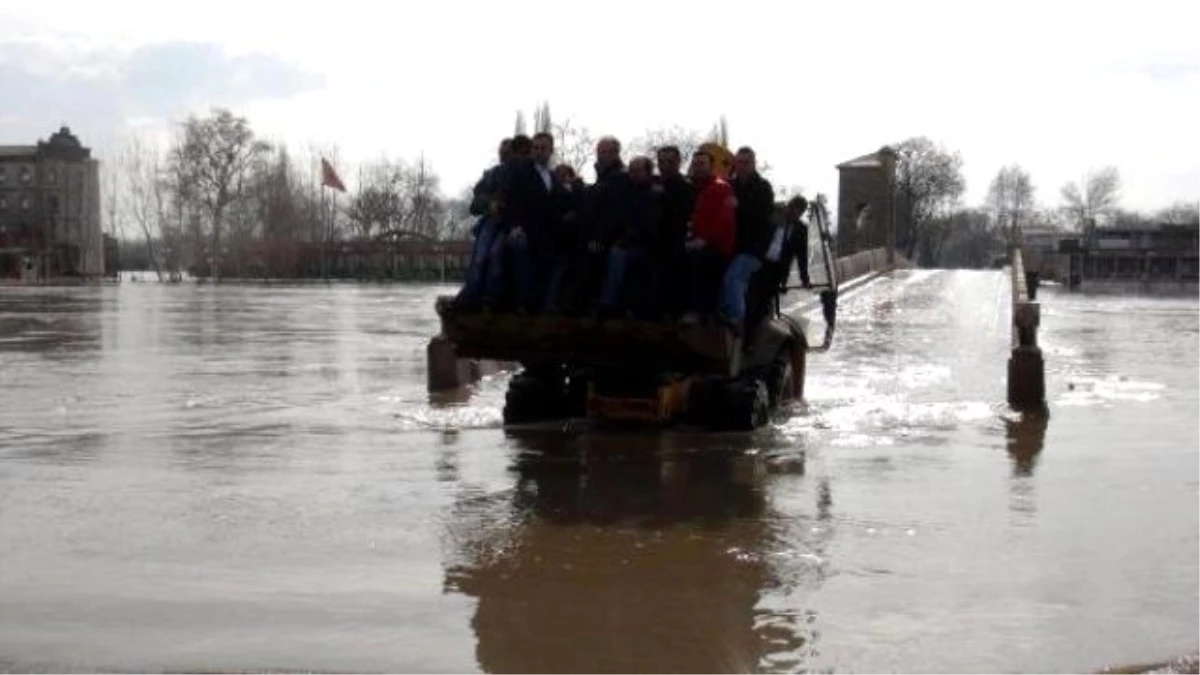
{"type": "Point", "coordinates": [50, 211]}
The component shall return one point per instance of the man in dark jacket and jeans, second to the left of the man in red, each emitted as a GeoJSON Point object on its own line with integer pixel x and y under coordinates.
{"type": "Point", "coordinates": [634, 241]}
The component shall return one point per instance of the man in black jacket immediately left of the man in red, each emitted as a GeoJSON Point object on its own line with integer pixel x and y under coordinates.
{"type": "Point", "coordinates": [671, 260]}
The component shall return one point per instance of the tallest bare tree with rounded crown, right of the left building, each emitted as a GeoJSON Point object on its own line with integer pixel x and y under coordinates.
{"type": "Point", "coordinates": [217, 154]}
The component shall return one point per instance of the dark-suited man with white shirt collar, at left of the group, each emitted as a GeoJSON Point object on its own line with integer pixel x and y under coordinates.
{"type": "Point", "coordinates": [531, 210]}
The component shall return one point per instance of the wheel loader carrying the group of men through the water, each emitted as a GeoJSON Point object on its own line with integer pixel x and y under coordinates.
{"type": "Point", "coordinates": [652, 372]}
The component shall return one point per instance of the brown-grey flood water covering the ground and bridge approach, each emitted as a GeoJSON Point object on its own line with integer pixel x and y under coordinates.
{"type": "Point", "coordinates": [250, 477]}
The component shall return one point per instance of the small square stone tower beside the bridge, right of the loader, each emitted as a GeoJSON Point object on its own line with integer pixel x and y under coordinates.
{"type": "Point", "coordinates": [867, 204]}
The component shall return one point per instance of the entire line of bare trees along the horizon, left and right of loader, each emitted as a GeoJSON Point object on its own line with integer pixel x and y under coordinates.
{"type": "Point", "coordinates": [220, 201]}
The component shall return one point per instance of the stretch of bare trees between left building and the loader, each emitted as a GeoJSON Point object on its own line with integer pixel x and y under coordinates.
{"type": "Point", "coordinates": [219, 201]}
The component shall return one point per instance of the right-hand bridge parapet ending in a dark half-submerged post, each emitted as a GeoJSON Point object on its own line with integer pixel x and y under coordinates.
{"type": "Point", "coordinates": [1027, 368]}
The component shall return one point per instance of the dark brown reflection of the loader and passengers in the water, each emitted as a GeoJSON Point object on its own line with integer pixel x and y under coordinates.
{"type": "Point", "coordinates": [625, 553]}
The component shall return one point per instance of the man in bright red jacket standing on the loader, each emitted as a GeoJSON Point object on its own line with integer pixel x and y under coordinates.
{"type": "Point", "coordinates": [712, 236]}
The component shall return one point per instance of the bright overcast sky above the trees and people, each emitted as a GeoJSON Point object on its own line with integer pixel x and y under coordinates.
{"type": "Point", "coordinates": [1058, 87]}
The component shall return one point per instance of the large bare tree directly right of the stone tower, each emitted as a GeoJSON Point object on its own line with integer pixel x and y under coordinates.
{"type": "Point", "coordinates": [929, 183]}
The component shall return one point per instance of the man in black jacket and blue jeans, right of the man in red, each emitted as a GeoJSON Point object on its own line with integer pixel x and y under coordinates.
{"type": "Point", "coordinates": [757, 204]}
